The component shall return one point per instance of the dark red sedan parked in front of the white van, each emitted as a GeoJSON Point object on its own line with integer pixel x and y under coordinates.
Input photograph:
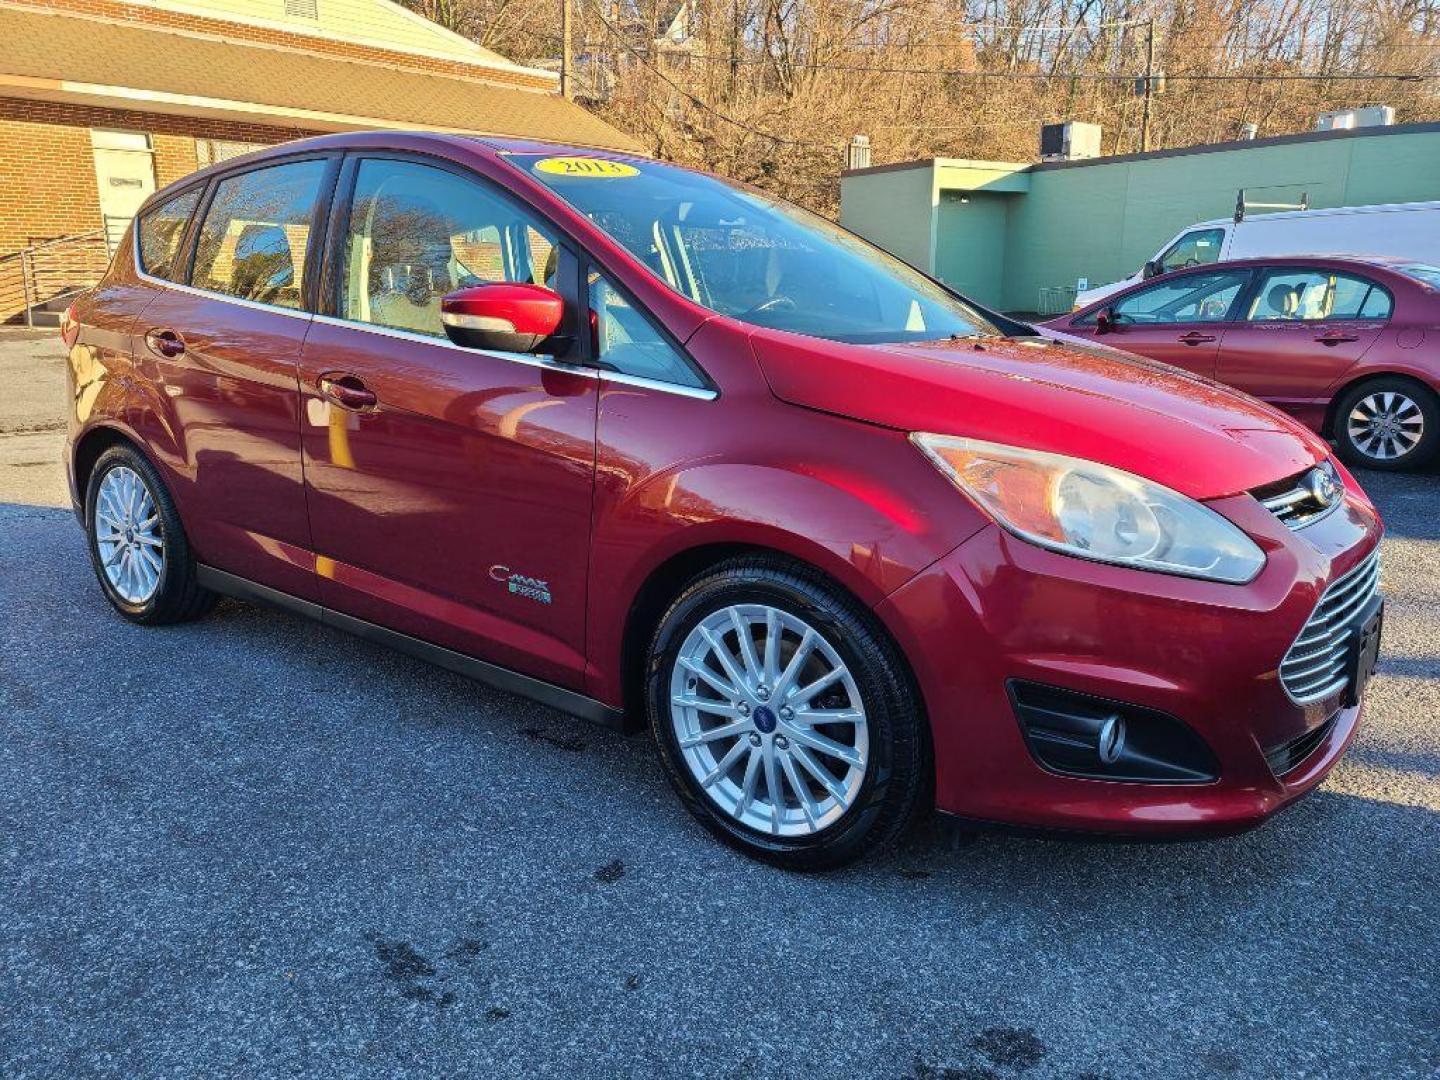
{"type": "Point", "coordinates": [1349, 346]}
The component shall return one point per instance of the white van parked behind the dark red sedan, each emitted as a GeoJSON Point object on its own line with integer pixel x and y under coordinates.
{"type": "Point", "coordinates": [1406, 231]}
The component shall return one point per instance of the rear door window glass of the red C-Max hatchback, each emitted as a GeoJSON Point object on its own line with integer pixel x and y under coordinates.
{"type": "Point", "coordinates": [257, 233]}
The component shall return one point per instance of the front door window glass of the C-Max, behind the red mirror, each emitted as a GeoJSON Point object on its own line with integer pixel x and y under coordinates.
{"type": "Point", "coordinates": [418, 234]}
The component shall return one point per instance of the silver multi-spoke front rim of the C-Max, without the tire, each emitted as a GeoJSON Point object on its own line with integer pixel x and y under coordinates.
{"type": "Point", "coordinates": [770, 721]}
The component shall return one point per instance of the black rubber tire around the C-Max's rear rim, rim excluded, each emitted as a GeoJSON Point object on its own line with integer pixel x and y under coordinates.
{"type": "Point", "coordinates": [178, 597]}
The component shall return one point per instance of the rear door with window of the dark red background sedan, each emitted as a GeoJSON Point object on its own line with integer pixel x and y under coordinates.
{"type": "Point", "coordinates": [1301, 332]}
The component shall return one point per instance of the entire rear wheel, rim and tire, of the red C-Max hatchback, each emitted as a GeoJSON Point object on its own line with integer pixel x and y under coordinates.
{"type": "Point", "coordinates": [138, 545]}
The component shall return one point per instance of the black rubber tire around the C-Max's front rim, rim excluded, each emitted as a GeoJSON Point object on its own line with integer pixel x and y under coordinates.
{"type": "Point", "coordinates": [898, 774]}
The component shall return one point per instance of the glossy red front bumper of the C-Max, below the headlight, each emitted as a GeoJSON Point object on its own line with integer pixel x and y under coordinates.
{"type": "Point", "coordinates": [999, 610]}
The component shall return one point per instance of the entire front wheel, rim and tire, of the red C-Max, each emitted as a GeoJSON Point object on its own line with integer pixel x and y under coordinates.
{"type": "Point", "coordinates": [783, 716]}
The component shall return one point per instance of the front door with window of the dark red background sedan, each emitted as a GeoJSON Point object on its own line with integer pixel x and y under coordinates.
{"type": "Point", "coordinates": [1177, 319]}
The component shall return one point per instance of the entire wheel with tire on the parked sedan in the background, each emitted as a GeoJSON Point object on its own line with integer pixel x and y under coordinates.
{"type": "Point", "coordinates": [1387, 424]}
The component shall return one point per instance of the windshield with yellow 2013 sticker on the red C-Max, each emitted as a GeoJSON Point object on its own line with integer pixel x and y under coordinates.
{"type": "Point", "coordinates": [752, 257]}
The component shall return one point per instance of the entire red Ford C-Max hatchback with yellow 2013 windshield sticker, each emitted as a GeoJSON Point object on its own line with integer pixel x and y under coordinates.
{"type": "Point", "coordinates": [642, 443]}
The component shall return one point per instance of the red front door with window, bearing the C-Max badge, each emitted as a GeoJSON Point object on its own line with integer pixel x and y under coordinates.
{"type": "Point", "coordinates": [450, 489]}
